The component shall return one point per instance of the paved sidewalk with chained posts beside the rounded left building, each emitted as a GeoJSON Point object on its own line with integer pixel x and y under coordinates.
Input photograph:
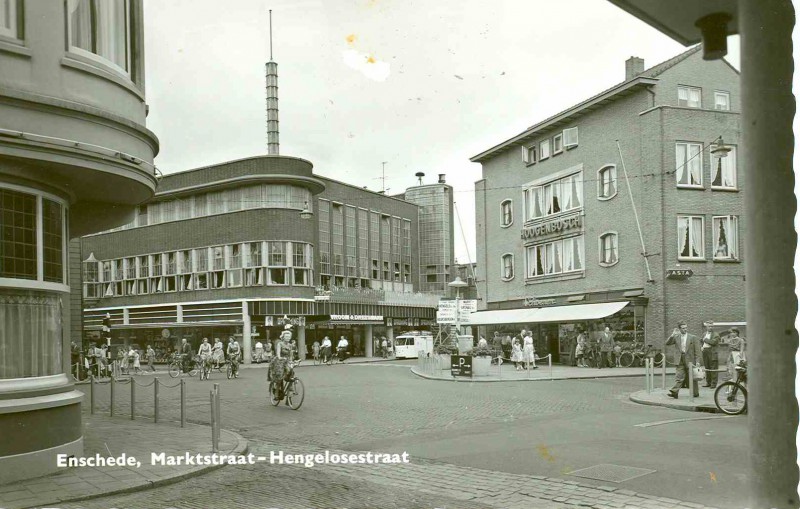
{"type": "Point", "coordinates": [109, 437]}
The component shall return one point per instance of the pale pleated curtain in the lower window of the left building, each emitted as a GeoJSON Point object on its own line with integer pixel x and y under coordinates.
{"type": "Point", "coordinates": [30, 334]}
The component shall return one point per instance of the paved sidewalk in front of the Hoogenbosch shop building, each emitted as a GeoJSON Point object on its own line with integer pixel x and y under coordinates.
{"type": "Point", "coordinates": [507, 373]}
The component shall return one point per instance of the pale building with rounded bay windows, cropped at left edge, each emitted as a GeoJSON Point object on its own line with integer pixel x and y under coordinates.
{"type": "Point", "coordinates": [75, 158]}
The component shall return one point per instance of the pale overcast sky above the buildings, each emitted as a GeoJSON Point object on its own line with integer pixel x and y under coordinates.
{"type": "Point", "coordinates": [420, 85]}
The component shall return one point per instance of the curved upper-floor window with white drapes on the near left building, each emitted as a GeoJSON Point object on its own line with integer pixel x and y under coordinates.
{"type": "Point", "coordinates": [101, 28]}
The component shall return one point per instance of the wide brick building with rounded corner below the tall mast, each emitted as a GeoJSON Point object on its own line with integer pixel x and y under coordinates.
{"type": "Point", "coordinates": [225, 251]}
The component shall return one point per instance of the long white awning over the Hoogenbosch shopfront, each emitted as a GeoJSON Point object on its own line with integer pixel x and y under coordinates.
{"type": "Point", "coordinates": [573, 313]}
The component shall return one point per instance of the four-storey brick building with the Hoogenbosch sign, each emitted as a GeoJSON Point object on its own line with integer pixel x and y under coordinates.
{"type": "Point", "coordinates": [560, 245]}
